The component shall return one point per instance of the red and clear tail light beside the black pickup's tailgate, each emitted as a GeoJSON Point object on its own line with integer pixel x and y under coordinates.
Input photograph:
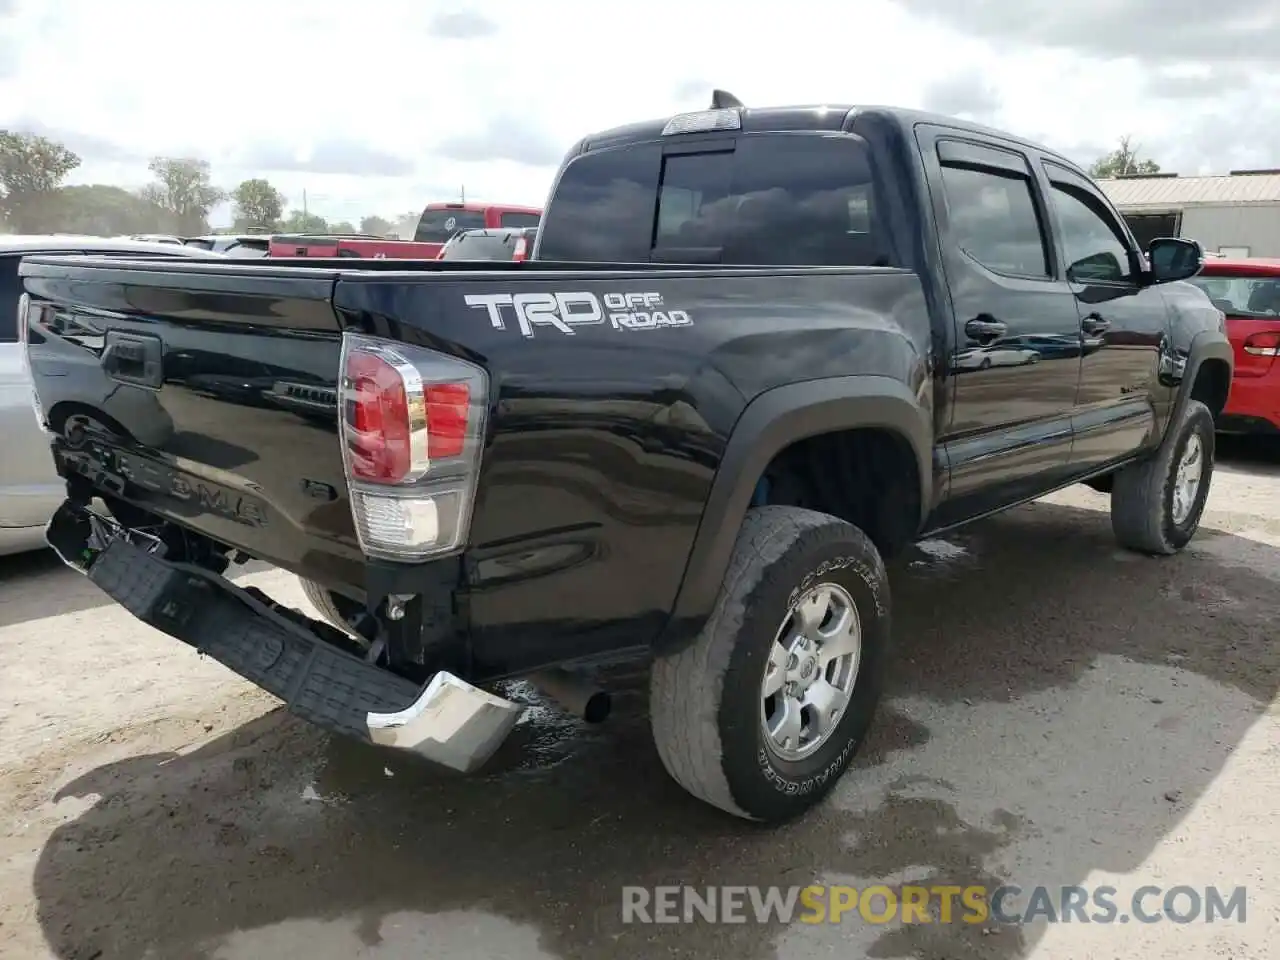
{"type": "Point", "coordinates": [413, 428]}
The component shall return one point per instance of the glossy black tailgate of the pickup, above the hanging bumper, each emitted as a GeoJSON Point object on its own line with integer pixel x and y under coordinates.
{"type": "Point", "coordinates": [205, 395]}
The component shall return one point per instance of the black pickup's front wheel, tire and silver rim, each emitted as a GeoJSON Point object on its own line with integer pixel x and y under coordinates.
{"type": "Point", "coordinates": [1156, 505]}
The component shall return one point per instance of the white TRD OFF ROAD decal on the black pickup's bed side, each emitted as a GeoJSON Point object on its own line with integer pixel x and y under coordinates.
{"type": "Point", "coordinates": [564, 312]}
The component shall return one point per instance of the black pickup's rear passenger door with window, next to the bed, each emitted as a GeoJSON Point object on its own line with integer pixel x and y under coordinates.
{"type": "Point", "coordinates": [1016, 359]}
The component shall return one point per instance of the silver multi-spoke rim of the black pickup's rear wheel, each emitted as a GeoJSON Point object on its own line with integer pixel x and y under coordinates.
{"type": "Point", "coordinates": [811, 674]}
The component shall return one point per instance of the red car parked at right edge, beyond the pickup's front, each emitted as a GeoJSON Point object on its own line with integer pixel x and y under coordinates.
{"type": "Point", "coordinates": [1249, 292]}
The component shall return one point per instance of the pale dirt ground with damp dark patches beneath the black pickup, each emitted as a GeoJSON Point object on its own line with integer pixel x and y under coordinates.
{"type": "Point", "coordinates": [1060, 714]}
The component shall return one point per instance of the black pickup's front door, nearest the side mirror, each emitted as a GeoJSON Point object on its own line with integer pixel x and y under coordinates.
{"type": "Point", "coordinates": [1124, 323]}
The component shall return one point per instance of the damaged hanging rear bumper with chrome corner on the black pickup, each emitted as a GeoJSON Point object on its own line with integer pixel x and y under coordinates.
{"type": "Point", "coordinates": [447, 721]}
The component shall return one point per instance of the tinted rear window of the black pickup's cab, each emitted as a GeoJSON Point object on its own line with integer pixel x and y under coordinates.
{"type": "Point", "coordinates": [779, 199]}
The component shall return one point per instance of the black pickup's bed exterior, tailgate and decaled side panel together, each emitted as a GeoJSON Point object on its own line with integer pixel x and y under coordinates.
{"type": "Point", "coordinates": [602, 438]}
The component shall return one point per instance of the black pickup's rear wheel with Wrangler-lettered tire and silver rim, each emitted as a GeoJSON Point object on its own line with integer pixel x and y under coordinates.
{"type": "Point", "coordinates": [803, 612]}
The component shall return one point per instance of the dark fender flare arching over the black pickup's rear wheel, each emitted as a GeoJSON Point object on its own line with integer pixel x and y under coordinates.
{"type": "Point", "coordinates": [772, 422]}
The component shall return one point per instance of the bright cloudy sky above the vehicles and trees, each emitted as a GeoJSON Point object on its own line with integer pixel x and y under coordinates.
{"type": "Point", "coordinates": [383, 106]}
